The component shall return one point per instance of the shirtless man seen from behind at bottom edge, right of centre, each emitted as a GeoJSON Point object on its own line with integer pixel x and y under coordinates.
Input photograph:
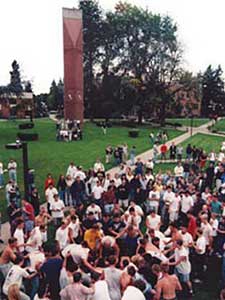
{"type": "Point", "coordinates": [167, 285]}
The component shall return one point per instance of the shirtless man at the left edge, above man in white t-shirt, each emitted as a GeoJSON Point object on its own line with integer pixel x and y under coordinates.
{"type": "Point", "coordinates": [8, 256]}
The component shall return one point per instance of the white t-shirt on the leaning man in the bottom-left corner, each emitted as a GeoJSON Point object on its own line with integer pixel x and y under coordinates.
{"type": "Point", "coordinates": [15, 275]}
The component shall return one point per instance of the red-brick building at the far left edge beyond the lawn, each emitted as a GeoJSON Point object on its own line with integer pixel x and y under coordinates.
{"type": "Point", "coordinates": [16, 106]}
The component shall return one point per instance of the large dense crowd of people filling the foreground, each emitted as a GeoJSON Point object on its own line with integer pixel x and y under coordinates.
{"type": "Point", "coordinates": [137, 234]}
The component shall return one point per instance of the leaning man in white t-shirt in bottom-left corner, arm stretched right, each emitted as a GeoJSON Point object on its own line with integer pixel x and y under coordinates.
{"type": "Point", "coordinates": [15, 276]}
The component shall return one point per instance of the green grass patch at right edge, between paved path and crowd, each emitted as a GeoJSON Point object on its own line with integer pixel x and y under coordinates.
{"type": "Point", "coordinates": [207, 142]}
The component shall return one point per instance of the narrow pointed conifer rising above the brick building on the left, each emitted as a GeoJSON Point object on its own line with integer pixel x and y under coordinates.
{"type": "Point", "coordinates": [15, 85]}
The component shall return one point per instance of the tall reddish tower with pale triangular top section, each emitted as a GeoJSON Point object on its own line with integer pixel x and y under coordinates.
{"type": "Point", "coordinates": [73, 64]}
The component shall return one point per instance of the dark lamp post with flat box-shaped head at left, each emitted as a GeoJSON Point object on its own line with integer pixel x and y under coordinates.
{"type": "Point", "coordinates": [23, 146]}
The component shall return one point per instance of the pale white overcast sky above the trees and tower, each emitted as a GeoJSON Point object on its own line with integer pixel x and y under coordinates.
{"type": "Point", "coordinates": [31, 33]}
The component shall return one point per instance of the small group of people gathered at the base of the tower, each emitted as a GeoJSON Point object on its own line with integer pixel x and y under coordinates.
{"type": "Point", "coordinates": [67, 130]}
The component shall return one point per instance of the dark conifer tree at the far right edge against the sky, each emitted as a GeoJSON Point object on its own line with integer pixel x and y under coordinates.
{"type": "Point", "coordinates": [213, 95]}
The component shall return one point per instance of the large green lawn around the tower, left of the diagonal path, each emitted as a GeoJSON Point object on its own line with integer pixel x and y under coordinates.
{"type": "Point", "coordinates": [49, 156]}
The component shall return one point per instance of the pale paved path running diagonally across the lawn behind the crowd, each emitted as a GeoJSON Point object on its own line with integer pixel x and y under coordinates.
{"type": "Point", "coordinates": [144, 157]}
